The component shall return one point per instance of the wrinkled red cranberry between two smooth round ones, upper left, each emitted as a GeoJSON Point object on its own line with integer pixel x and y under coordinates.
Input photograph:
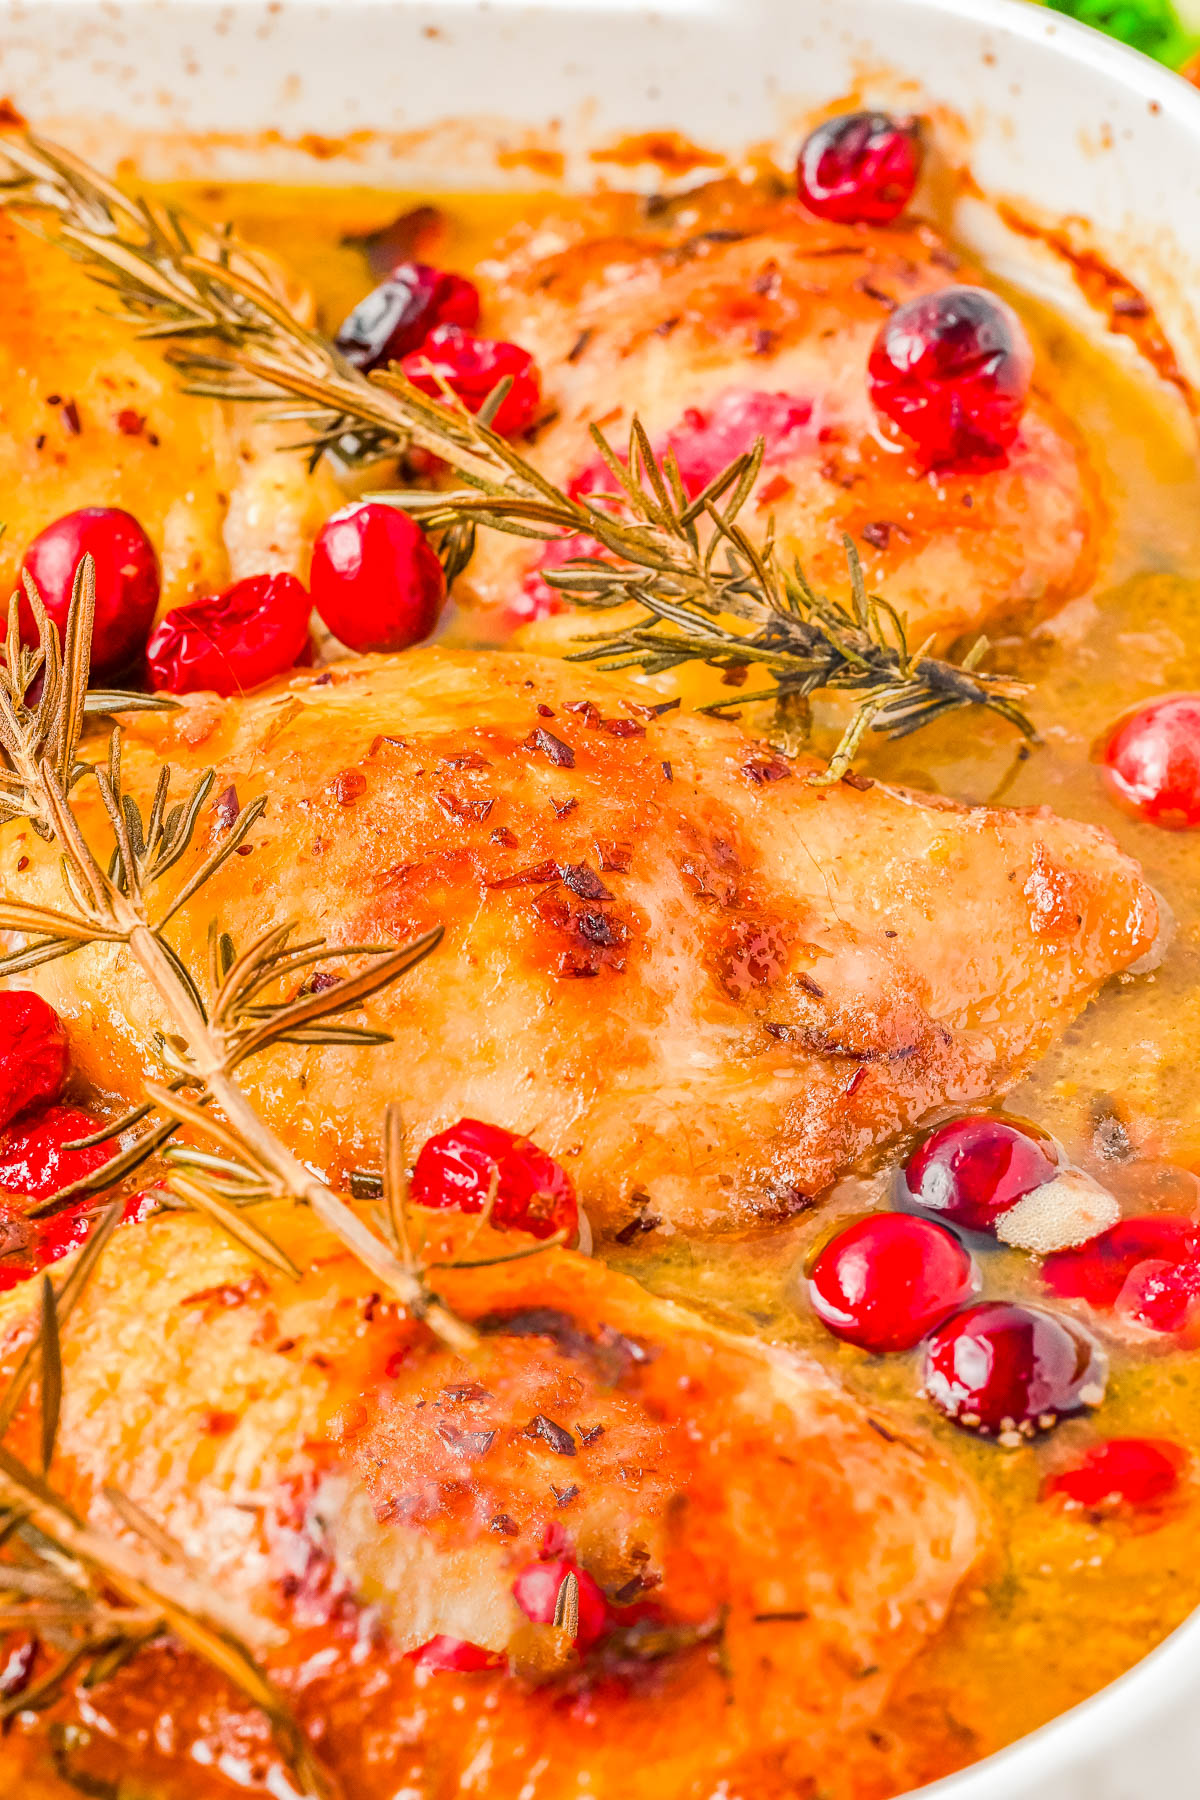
{"type": "Point", "coordinates": [231, 642]}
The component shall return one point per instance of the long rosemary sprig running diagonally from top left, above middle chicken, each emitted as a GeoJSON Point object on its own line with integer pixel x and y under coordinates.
{"type": "Point", "coordinates": [708, 591]}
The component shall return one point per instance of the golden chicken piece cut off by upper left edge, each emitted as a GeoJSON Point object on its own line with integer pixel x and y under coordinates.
{"type": "Point", "coordinates": [94, 417]}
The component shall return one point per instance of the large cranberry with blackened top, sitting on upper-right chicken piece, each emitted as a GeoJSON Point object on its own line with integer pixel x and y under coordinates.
{"type": "Point", "coordinates": [953, 372]}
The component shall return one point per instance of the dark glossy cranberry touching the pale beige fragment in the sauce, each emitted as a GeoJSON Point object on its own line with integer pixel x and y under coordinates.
{"type": "Point", "coordinates": [971, 1171]}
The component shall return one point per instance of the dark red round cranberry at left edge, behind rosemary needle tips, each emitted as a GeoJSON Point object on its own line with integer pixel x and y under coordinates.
{"type": "Point", "coordinates": [127, 580]}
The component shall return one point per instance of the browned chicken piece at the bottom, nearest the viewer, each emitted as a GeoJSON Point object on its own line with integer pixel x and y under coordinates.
{"type": "Point", "coordinates": [771, 1556]}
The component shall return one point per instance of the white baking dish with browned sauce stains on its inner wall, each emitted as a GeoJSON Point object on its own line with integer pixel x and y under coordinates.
{"type": "Point", "coordinates": [1050, 116]}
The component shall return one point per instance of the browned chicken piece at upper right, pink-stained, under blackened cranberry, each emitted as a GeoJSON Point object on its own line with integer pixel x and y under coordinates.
{"type": "Point", "coordinates": [737, 316]}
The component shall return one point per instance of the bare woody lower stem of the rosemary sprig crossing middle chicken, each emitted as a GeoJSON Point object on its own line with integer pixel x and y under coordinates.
{"type": "Point", "coordinates": [210, 1059]}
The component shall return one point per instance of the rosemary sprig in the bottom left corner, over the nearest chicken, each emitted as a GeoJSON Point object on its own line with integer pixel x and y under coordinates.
{"type": "Point", "coordinates": [94, 1601]}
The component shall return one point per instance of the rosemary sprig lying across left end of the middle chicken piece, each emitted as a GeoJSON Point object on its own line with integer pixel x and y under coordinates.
{"type": "Point", "coordinates": [210, 1034]}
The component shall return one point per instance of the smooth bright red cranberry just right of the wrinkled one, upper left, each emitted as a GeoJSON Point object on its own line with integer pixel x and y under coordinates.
{"type": "Point", "coordinates": [375, 580]}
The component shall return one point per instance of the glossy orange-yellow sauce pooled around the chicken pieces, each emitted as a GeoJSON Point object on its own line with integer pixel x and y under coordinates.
{"type": "Point", "coordinates": [1061, 1605]}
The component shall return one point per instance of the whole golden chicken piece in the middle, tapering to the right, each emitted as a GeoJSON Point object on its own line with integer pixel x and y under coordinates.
{"type": "Point", "coordinates": [703, 984]}
